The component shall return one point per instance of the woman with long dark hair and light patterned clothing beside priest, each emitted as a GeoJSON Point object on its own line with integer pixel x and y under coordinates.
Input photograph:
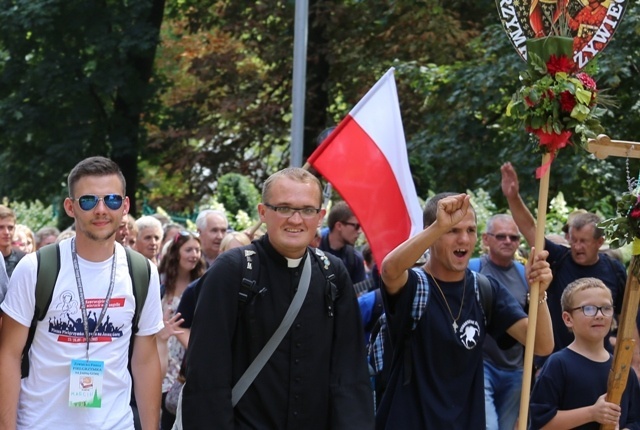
{"type": "Point", "coordinates": [182, 264]}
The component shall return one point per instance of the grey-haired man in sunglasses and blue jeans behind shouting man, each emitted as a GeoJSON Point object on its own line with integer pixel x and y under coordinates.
{"type": "Point", "coordinates": [502, 367]}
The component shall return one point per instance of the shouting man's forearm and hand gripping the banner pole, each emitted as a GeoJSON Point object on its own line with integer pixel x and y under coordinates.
{"type": "Point", "coordinates": [537, 271]}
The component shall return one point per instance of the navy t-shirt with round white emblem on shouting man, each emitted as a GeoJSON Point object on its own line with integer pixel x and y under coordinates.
{"type": "Point", "coordinates": [446, 385]}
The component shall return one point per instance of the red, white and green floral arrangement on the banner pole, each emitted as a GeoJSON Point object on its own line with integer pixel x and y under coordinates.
{"type": "Point", "coordinates": [557, 102]}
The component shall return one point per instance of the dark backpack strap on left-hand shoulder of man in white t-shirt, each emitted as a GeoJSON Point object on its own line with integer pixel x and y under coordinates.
{"type": "Point", "coordinates": [48, 262]}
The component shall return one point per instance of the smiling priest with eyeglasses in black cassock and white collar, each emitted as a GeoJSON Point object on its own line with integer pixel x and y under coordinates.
{"type": "Point", "coordinates": [317, 378]}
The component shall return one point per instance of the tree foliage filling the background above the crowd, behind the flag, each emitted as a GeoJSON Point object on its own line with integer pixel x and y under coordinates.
{"type": "Point", "coordinates": [224, 68]}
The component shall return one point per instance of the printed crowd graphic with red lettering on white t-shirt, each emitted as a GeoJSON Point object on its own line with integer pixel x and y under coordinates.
{"type": "Point", "coordinates": [67, 322]}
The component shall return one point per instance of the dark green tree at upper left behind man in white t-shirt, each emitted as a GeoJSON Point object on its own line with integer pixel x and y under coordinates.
{"type": "Point", "coordinates": [74, 81]}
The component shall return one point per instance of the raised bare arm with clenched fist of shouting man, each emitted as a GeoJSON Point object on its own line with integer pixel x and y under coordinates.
{"type": "Point", "coordinates": [396, 264]}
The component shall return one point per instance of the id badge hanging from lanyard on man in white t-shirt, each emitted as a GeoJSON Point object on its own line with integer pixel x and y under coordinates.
{"type": "Point", "coordinates": [85, 383]}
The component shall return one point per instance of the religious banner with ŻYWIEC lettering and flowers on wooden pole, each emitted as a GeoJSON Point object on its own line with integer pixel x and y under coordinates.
{"type": "Point", "coordinates": [558, 102]}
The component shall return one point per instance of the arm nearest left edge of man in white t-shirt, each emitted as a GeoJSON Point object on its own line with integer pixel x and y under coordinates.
{"type": "Point", "coordinates": [13, 337]}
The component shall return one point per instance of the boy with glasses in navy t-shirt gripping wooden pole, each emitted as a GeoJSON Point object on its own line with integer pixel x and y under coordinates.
{"type": "Point", "coordinates": [571, 390]}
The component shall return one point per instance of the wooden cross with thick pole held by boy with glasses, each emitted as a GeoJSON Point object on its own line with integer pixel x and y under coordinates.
{"type": "Point", "coordinates": [602, 147]}
